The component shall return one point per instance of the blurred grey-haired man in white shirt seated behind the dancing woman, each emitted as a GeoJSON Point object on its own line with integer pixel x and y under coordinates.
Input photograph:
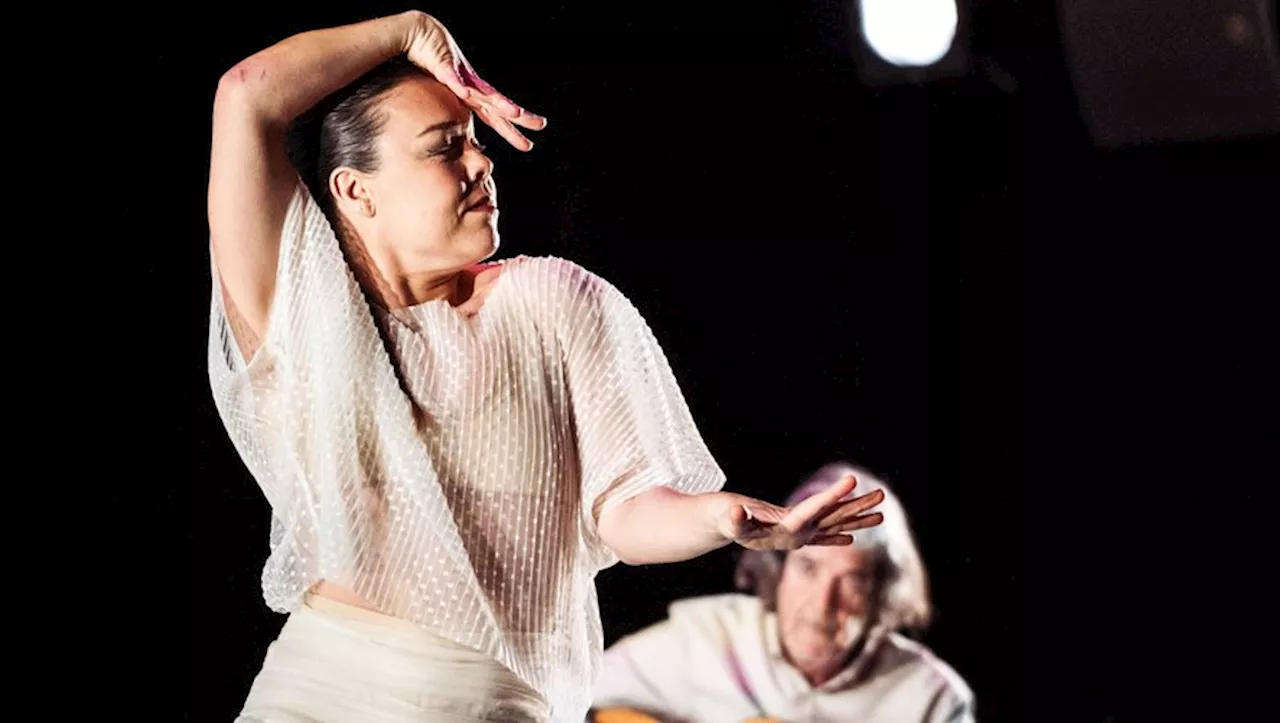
{"type": "Point", "coordinates": [820, 640]}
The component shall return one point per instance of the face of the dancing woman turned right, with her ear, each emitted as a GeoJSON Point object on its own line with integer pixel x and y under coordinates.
{"type": "Point", "coordinates": [417, 213]}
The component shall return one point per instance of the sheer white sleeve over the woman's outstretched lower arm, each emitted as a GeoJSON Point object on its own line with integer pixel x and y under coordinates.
{"type": "Point", "coordinates": [634, 428]}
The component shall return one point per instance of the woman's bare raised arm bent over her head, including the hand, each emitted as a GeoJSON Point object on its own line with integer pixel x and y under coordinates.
{"type": "Point", "coordinates": [252, 180]}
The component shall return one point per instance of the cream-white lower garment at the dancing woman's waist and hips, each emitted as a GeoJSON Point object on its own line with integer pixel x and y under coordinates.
{"type": "Point", "coordinates": [339, 663]}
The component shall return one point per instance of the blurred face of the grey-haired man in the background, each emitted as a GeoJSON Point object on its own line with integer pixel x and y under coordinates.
{"type": "Point", "coordinates": [824, 601]}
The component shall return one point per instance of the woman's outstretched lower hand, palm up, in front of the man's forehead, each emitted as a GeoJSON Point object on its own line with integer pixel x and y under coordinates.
{"type": "Point", "coordinates": [820, 520]}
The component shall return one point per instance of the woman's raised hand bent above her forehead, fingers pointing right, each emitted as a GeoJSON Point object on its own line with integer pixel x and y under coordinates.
{"type": "Point", "coordinates": [431, 47]}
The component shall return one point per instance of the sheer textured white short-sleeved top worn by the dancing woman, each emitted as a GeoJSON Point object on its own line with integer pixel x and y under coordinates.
{"type": "Point", "coordinates": [474, 516]}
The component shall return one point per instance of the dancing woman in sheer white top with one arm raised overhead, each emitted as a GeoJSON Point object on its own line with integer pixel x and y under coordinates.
{"type": "Point", "coordinates": [451, 450]}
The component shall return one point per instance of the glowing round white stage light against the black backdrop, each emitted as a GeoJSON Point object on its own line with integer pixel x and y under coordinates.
{"type": "Point", "coordinates": [909, 33]}
